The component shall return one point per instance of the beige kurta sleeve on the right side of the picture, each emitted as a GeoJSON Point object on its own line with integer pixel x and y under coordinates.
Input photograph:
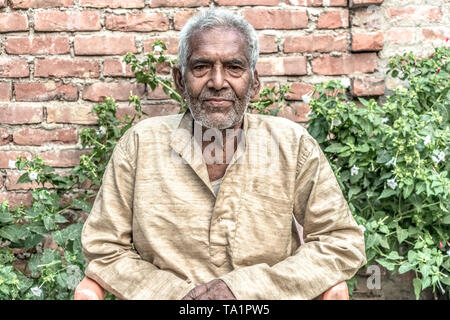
{"type": "Point", "coordinates": [334, 245]}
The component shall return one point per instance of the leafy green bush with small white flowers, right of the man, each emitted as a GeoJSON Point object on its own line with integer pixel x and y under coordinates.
{"type": "Point", "coordinates": [390, 161]}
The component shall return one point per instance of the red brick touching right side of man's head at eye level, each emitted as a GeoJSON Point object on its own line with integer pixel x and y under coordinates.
{"type": "Point", "coordinates": [282, 66]}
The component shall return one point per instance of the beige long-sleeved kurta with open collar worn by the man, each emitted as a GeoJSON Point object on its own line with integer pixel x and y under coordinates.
{"type": "Point", "coordinates": [157, 228]}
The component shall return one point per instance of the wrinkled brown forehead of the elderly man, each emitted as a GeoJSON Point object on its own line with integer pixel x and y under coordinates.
{"type": "Point", "coordinates": [226, 43]}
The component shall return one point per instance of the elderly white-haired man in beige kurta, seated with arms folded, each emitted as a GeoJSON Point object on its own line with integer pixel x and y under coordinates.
{"type": "Point", "coordinates": [197, 206]}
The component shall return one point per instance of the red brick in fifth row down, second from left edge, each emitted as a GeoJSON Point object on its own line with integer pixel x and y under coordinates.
{"type": "Point", "coordinates": [45, 91]}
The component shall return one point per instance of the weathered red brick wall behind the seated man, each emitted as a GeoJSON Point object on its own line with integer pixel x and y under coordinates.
{"type": "Point", "coordinates": [59, 57]}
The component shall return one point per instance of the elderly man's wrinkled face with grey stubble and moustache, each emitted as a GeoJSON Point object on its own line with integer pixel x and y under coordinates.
{"type": "Point", "coordinates": [218, 81]}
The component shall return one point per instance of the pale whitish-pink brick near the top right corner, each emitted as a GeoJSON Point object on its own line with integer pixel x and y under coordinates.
{"type": "Point", "coordinates": [412, 13]}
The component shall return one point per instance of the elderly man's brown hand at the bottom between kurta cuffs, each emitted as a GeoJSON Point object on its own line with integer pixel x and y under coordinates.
{"type": "Point", "coordinates": [214, 290]}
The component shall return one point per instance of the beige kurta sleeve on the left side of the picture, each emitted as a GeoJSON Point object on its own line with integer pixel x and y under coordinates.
{"type": "Point", "coordinates": [107, 237]}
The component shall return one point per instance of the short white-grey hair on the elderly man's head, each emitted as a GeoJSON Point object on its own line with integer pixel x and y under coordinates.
{"type": "Point", "coordinates": [217, 18]}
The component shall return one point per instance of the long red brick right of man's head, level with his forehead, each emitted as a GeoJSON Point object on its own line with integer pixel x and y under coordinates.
{"type": "Point", "coordinates": [316, 43]}
